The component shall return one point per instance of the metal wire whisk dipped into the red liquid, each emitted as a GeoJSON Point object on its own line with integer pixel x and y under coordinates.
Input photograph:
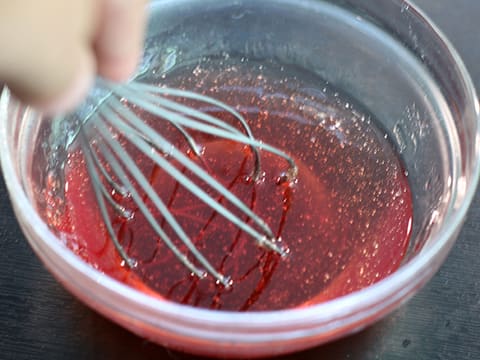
{"type": "Point", "coordinates": [114, 171]}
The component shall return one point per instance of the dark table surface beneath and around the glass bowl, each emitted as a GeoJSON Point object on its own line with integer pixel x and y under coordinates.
{"type": "Point", "coordinates": [40, 320]}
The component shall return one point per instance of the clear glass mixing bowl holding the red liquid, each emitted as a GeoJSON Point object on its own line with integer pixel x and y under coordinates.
{"type": "Point", "coordinates": [389, 57]}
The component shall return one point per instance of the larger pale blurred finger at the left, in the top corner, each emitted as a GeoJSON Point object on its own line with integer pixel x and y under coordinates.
{"type": "Point", "coordinates": [47, 59]}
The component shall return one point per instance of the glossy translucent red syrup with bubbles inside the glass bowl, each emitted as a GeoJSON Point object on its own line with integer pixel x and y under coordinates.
{"type": "Point", "coordinates": [346, 220]}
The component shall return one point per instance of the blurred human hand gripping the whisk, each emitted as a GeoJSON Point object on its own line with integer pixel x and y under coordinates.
{"type": "Point", "coordinates": [51, 50]}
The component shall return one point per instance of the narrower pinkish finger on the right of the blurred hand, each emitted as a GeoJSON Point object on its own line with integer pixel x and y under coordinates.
{"type": "Point", "coordinates": [119, 40]}
